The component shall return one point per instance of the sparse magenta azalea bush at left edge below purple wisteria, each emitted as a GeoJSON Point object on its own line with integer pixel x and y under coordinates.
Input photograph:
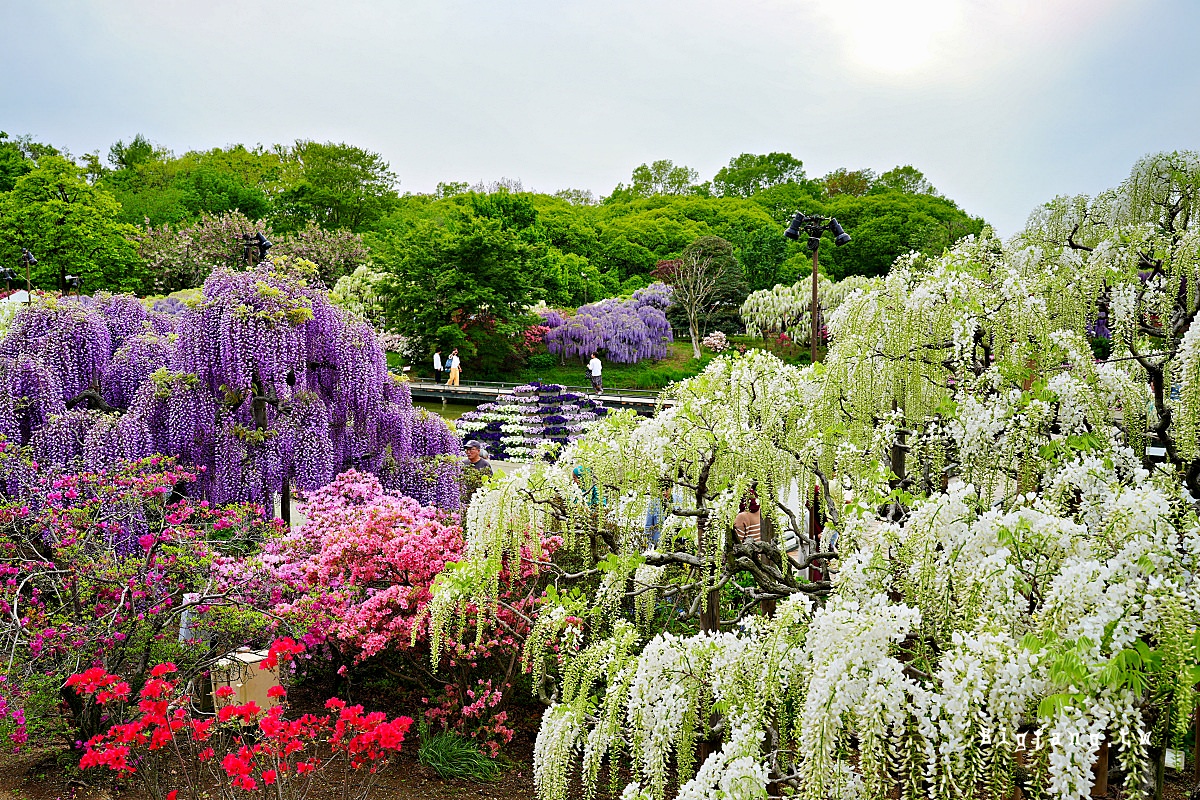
{"type": "Point", "coordinates": [111, 570]}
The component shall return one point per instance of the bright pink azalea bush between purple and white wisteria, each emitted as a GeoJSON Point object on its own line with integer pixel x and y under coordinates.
{"type": "Point", "coordinates": [368, 558]}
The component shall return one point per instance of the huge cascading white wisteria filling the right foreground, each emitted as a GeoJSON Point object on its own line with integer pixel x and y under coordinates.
{"type": "Point", "coordinates": [1006, 584]}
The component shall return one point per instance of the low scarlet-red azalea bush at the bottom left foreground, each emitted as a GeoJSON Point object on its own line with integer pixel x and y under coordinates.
{"type": "Point", "coordinates": [171, 750]}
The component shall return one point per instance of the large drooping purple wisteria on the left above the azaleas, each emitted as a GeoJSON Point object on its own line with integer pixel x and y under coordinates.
{"type": "Point", "coordinates": [256, 382]}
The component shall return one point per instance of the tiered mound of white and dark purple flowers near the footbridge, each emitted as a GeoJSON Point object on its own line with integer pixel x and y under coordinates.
{"type": "Point", "coordinates": [524, 425]}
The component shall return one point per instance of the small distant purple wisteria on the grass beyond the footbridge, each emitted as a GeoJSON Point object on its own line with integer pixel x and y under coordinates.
{"type": "Point", "coordinates": [625, 332]}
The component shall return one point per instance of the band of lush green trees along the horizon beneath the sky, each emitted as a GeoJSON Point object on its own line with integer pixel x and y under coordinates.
{"type": "Point", "coordinates": [475, 258]}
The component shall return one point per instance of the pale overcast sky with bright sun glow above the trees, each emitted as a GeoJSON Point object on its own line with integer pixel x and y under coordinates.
{"type": "Point", "coordinates": [1003, 104]}
